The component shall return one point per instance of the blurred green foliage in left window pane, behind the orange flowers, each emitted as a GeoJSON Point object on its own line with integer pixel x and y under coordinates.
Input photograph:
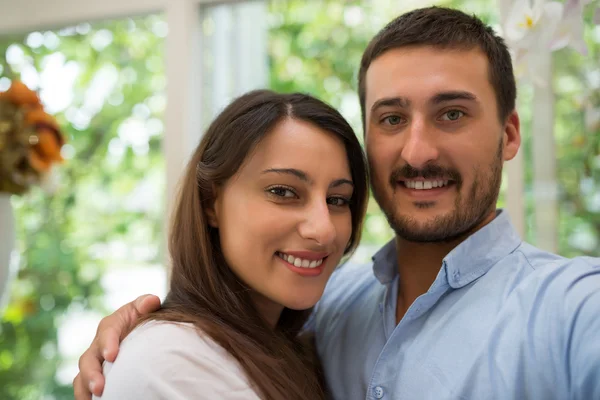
{"type": "Point", "coordinates": [105, 83]}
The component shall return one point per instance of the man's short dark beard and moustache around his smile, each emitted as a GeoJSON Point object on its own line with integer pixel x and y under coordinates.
{"type": "Point", "coordinates": [468, 211]}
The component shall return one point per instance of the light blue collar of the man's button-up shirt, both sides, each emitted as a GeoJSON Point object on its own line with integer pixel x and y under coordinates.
{"type": "Point", "coordinates": [466, 262]}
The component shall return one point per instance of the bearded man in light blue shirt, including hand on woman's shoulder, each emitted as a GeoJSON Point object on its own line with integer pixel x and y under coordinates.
{"type": "Point", "coordinates": [456, 305]}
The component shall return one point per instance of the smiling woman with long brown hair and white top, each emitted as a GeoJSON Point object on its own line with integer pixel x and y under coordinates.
{"type": "Point", "coordinates": [272, 199]}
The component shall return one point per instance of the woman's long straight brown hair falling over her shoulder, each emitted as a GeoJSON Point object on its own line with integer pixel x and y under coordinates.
{"type": "Point", "coordinates": [204, 290]}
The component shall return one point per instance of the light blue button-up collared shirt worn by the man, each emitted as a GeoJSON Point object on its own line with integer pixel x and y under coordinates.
{"type": "Point", "coordinates": [502, 320]}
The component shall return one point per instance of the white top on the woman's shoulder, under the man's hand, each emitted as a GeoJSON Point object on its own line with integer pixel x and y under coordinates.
{"type": "Point", "coordinates": [174, 361]}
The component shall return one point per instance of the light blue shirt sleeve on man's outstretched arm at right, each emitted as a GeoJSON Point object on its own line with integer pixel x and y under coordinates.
{"type": "Point", "coordinates": [546, 341]}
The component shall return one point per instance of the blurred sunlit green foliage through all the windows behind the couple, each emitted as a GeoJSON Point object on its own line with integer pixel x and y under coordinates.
{"type": "Point", "coordinates": [108, 209]}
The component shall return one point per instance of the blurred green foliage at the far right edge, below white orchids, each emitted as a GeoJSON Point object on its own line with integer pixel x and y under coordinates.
{"type": "Point", "coordinates": [577, 133]}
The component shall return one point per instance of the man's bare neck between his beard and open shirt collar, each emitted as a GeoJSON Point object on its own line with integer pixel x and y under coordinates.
{"type": "Point", "coordinates": [419, 265]}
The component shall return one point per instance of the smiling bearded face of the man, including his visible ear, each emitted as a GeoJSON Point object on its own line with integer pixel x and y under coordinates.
{"type": "Point", "coordinates": [434, 141]}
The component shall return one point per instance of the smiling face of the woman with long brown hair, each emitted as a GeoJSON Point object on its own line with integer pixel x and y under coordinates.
{"type": "Point", "coordinates": [284, 219]}
